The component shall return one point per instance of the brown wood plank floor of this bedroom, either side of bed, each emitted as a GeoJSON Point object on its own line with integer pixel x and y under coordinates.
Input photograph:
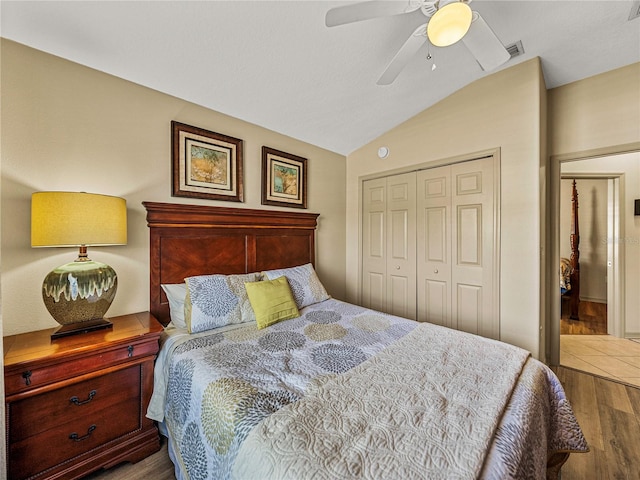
{"type": "Point", "coordinates": [608, 412]}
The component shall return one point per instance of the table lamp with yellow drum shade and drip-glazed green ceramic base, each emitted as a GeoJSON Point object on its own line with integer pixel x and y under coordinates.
{"type": "Point", "coordinates": [78, 294]}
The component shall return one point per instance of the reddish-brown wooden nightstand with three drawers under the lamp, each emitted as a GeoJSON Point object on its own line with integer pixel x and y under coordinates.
{"type": "Point", "coordinates": [76, 404]}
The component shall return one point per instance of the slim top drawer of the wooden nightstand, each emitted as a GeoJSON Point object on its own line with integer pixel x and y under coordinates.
{"type": "Point", "coordinates": [30, 378]}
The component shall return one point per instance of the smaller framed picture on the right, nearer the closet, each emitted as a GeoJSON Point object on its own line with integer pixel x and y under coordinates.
{"type": "Point", "coordinates": [284, 179]}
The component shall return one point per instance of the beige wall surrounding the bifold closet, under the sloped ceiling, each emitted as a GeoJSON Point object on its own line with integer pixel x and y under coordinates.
{"type": "Point", "coordinates": [504, 110]}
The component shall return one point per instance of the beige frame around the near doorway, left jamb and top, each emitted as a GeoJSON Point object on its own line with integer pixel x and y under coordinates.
{"type": "Point", "coordinates": [552, 322]}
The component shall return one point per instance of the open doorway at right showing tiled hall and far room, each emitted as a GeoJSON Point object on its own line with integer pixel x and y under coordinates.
{"type": "Point", "coordinates": [607, 355]}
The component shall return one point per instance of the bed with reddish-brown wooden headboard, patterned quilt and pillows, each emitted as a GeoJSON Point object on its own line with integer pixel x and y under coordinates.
{"type": "Point", "coordinates": [336, 391]}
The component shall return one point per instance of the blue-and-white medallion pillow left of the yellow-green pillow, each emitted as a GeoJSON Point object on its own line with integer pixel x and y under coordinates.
{"type": "Point", "coordinates": [214, 301]}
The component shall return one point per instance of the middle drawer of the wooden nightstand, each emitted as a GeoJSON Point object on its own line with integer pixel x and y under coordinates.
{"type": "Point", "coordinates": [40, 413]}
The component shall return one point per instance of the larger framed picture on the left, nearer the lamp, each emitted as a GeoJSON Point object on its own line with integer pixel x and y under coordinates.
{"type": "Point", "coordinates": [206, 164]}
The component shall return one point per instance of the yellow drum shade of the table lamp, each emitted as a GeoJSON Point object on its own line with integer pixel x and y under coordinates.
{"type": "Point", "coordinates": [71, 219]}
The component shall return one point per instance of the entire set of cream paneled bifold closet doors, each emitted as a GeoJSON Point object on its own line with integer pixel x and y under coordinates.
{"type": "Point", "coordinates": [428, 246]}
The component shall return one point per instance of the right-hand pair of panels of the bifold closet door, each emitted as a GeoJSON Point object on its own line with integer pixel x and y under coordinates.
{"type": "Point", "coordinates": [456, 240]}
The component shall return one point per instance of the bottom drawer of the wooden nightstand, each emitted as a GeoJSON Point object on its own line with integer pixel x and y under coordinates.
{"type": "Point", "coordinates": [66, 441]}
